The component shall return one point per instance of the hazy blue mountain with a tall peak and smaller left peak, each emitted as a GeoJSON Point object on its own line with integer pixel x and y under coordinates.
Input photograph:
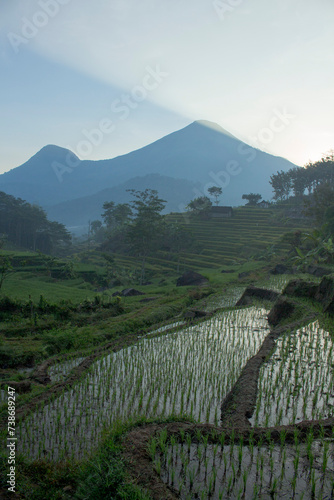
{"type": "Point", "coordinates": [203, 154]}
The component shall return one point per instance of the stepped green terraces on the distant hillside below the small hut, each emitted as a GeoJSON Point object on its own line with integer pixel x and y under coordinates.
{"type": "Point", "coordinates": [249, 232]}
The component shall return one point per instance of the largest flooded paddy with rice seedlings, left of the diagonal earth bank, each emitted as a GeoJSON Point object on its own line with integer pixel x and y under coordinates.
{"type": "Point", "coordinates": [186, 372]}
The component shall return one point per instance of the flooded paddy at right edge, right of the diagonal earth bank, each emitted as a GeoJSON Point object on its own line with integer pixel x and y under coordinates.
{"type": "Point", "coordinates": [297, 382]}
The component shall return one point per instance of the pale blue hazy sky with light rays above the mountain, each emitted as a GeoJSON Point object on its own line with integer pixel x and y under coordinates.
{"type": "Point", "coordinates": [106, 77]}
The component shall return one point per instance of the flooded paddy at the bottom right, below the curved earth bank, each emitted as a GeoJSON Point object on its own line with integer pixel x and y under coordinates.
{"type": "Point", "coordinates": [233, 470]}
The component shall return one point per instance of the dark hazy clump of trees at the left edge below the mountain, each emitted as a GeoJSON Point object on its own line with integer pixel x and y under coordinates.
{"type": "Point", "coordinates": [27, 226]}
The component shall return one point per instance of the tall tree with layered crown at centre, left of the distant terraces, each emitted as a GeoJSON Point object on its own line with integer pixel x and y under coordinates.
{"type": "Point", "coordinates": [146, 229]}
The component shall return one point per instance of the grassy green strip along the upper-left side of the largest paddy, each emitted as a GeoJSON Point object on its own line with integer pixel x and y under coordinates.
{"type": "Point", "coordinates": [27, 342]}
